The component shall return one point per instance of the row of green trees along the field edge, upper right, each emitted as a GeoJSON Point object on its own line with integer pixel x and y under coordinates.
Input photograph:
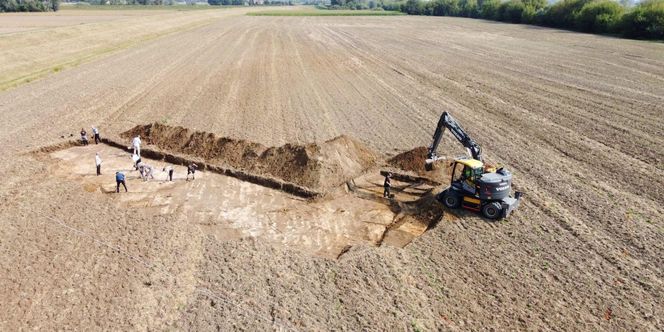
{"type": "Point", "coordinates": [643, 20]}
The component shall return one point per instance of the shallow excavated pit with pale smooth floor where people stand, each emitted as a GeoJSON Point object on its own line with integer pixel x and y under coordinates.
{"type": "Point", "coordinates": [228, 208]}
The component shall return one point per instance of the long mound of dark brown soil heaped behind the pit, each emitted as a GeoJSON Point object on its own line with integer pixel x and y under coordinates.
{"type": "Point", "coordinates": [316, 166]}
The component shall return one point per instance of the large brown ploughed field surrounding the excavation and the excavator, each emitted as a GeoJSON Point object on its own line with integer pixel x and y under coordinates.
{"type": "Point", "coordinates": [578, 119]}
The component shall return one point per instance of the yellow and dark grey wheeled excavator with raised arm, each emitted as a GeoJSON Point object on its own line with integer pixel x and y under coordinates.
{"type": "Point", "coordinates": [474, 185]}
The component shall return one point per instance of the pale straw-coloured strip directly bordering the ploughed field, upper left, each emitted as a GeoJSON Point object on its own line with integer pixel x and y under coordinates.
{"type": "Point", "coordinates": [71, 45]}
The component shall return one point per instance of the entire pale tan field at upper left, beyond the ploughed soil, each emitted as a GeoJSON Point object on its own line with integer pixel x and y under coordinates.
{"type": "Point", "coordinates": [69, 38]}
